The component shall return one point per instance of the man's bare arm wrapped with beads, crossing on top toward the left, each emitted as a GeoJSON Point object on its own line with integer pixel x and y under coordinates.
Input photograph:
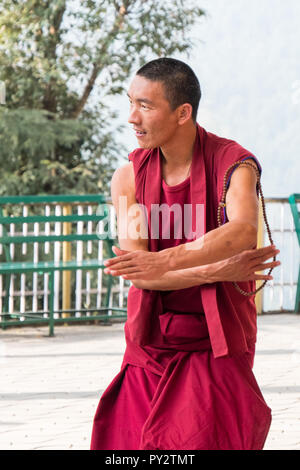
{"type": "Point", "coordinates": [237, 235]}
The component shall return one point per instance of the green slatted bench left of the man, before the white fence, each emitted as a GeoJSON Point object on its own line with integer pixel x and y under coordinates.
{"type": "Point", "coordinates": [41, 229]}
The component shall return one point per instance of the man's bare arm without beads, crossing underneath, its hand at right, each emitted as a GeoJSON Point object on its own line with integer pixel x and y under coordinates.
{"type": "Point", "coordinates": [238, 268]}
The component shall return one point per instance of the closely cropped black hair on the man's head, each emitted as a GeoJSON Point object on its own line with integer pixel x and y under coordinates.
{"type": "Point", "coordinates": [180, 82]}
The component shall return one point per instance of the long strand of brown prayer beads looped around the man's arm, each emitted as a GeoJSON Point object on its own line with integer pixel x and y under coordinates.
{"type": "Point", "coordinates": [222, 204]}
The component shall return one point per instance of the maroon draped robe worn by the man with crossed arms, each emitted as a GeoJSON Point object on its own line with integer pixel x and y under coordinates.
{"type": "Point", "coordinates": [186, 380]}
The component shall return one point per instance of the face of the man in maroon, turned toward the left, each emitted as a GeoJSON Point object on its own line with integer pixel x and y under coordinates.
{"type": "Point", "coordinates": [153, 120]}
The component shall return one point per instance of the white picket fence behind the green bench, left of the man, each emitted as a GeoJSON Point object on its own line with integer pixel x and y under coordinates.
{"type": "Point", "coordinates": [88, 287]}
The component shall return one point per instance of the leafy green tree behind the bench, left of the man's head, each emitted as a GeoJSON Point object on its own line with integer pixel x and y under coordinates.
{"type": "Point", "coordinates": [61, 61]}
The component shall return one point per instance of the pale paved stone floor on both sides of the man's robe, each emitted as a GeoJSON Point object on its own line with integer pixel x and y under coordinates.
{"type": "Point", "coordinates": [50, 387]}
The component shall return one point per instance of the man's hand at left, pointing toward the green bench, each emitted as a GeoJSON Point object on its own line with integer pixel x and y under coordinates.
{"type": "Point", "coordinates": [139, 264]}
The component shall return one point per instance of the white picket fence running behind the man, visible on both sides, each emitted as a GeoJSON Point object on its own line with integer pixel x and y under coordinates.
{"type": "Point", "coordinates": [278, 295]}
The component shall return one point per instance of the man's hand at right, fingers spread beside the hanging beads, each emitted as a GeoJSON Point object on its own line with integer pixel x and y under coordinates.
{"type": "Point", "coordinates": [245, 265]}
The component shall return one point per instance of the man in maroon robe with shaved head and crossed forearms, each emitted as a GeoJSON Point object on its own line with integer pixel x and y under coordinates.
{"type": "Point", "coordinates": [186, 380]}
